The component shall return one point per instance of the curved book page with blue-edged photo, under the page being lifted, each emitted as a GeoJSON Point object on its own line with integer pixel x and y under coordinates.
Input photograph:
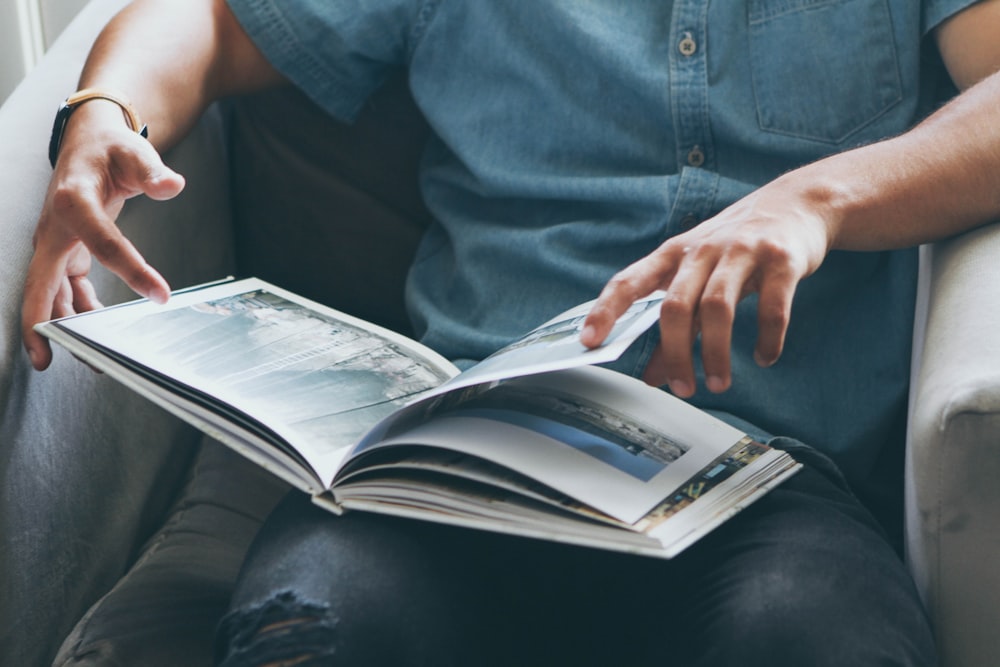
{"type": "Point", "coordinates": [603, 438]}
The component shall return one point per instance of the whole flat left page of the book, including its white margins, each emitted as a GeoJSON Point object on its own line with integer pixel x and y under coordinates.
{"type": "Point", "coordinates": [317, 378]}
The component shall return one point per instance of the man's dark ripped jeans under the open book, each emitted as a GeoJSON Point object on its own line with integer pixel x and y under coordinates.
{"type": "Point", "coordinates": [803, 577]}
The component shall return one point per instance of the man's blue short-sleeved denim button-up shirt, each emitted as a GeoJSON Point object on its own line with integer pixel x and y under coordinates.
{"type": "Point", "coordinates": [572, 137]}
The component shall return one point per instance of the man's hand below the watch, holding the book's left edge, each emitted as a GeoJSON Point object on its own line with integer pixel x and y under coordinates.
{"type": "Point", "coordinates": [101, 164]}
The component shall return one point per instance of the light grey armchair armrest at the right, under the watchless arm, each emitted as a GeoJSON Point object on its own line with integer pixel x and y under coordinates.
{"type": "Point", "coordinates": [953, 480]}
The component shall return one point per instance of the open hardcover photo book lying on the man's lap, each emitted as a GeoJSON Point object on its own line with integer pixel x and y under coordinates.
{"type": "Point", "coordinates": [535, 440]}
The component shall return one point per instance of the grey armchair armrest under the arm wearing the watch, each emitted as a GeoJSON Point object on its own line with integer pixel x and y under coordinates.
{"type": "Point", "coordinates": [88, 468]}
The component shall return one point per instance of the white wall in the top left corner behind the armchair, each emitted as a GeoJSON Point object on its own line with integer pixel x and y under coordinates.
{"type": "Point", "coordinates": [27, 28]}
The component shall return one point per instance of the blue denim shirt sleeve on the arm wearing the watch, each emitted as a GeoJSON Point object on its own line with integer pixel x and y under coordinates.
{"type": "Point", "coordinates": [338, 53]}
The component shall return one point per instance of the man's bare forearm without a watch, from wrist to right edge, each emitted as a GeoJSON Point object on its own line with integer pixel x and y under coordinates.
{"type": "Point", "coordinates": [937, 180]}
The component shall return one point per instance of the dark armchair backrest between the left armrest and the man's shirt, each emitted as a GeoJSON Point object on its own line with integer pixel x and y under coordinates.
{"type": "Point", "coordinates": [329, 210]}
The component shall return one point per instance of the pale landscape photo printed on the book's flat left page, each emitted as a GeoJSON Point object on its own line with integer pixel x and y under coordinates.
{"type": "Point", "coordinates": [325, 379]}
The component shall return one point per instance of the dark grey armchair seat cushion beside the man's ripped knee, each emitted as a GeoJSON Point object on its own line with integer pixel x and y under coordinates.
{"type": "Point", "coordinates": [163, 612]}
